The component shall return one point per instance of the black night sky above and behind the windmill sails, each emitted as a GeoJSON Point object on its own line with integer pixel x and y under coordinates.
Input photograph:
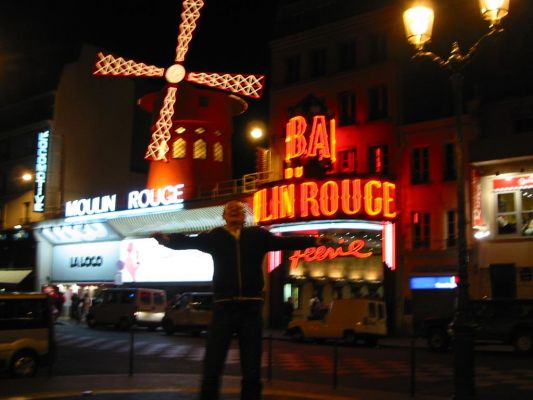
{"type": "Point", "coordinates": [38, 37]}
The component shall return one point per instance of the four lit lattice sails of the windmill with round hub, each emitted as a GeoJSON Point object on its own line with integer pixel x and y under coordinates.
{"type": "Point", "coordinates": [244, 85]}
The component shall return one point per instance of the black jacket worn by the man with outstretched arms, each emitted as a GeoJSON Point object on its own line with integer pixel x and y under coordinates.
{"type": "Point", "coordinates": [238, 272]}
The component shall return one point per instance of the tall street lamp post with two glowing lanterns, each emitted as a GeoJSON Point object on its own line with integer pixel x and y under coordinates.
{"type": "Point", "coordinates": [418, 23]}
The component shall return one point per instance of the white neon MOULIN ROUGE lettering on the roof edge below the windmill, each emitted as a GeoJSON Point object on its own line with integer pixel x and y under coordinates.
{"type": "Point", "coordinates": [136, 200]}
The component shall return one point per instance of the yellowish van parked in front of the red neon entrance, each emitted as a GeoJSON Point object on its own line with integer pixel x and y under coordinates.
{"type": "Point", "coordinates": [349, 320]}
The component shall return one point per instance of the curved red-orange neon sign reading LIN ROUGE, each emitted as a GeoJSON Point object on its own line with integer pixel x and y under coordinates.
{"type": "Point", "coordinates": [332, 198]}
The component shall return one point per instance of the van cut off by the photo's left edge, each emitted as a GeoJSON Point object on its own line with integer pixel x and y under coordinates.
{"type": "Point", "coordinates": [26, 333]}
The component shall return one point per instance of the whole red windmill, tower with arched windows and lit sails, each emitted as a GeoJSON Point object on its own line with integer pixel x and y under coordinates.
{"type": "Point", "coordinates": [191, 134]}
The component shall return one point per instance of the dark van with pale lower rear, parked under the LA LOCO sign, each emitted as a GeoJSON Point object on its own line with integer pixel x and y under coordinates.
{"type": "Point", "coordinates": [125, 307]}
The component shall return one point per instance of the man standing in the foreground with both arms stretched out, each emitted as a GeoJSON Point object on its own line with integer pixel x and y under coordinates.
{"type": "Point", "coordinates": [238, 252]}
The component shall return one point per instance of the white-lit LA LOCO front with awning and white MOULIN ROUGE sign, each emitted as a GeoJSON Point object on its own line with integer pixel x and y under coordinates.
{"type": "Point", "coordinates": [103, 242]}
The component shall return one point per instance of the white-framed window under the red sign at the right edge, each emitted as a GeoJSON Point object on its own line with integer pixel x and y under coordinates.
{"type": "Point", "coordinates": [515, 212]}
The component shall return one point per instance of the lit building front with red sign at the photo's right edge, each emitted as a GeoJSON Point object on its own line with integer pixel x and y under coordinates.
{"type": "Point", "coordinates": [503, 224]}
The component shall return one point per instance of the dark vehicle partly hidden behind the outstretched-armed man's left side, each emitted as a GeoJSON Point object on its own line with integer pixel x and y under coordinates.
{"type": "Point", "coordinates": [191, 313]}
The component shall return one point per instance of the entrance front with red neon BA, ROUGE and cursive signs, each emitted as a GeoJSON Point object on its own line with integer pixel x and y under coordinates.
{"type": "Point", "coordinates": [357, 211]}
